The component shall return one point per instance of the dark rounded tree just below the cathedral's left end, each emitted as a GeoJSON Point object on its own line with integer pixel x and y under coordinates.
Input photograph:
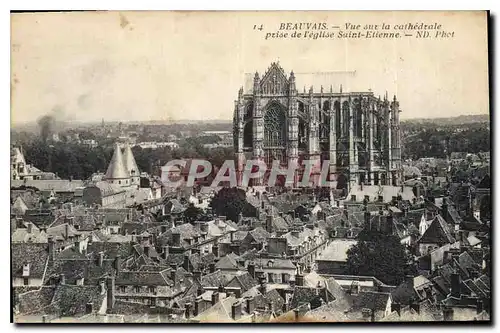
{"type": "Point", "coordinates": [230, 202]}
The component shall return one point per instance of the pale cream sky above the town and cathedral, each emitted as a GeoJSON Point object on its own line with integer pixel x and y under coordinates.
{"type": "Point", "coordinates": [133, 66]}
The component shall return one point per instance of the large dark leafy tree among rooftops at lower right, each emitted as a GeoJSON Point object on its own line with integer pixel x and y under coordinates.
{"type": "Point", "coordinates": [379, 255]}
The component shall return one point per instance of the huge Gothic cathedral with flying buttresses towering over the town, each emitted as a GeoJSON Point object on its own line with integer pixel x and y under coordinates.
{"type": "Point", "coordinates": [356, 133]}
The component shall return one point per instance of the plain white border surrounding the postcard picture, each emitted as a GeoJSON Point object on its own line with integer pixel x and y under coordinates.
{"type": "Point", "coordinates": [8, 5]}
